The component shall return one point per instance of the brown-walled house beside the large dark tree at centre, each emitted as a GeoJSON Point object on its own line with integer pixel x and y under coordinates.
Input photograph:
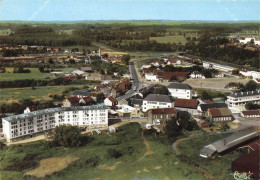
{"type": "Point", "coordinates": [158, 116]}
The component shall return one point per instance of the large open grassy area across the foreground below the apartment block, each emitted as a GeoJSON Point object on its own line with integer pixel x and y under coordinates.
{"type": "Point", "coordinates": [96, 163]}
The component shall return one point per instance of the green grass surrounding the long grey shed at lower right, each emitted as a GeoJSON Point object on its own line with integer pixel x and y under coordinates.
{"type": "Point", "coordinates": [219, 167]}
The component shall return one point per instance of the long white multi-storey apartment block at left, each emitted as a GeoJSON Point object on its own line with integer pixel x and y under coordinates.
{"type": "Point", "coordinates": [27, 124]}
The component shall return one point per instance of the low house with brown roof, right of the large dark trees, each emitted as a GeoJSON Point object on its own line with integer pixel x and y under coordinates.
{"type": "Point", "coordinates": [219, 115]}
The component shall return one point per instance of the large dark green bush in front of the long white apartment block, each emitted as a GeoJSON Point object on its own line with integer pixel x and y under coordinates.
{"type": "Point", "coordinates": [67, 136]}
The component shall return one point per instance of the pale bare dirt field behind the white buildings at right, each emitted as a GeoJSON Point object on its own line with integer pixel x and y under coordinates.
{"type": "Point", "coordinates": [214, 82]}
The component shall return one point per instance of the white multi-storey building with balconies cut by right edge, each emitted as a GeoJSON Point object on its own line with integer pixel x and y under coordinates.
{"type": "Point", "coordinates": [239, 99]}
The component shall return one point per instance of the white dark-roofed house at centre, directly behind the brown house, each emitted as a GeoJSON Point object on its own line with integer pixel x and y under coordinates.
{"type": "Point", "coordinates": [155, 101]}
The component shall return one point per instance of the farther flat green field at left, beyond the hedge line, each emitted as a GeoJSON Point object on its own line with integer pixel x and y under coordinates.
{"type": "Point", "coordinates": [34, 74]}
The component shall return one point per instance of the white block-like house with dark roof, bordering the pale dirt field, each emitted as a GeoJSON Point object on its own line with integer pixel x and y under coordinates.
{"type": "Point", "coordinates": [182, 91]}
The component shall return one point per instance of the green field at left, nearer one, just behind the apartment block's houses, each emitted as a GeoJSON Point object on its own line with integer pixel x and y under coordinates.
{"type": "Point", "coordinates": [10, 95]}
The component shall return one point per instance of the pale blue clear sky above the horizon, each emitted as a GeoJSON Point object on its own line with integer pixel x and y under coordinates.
{"type": "Point", "coordinates": [179, 10]}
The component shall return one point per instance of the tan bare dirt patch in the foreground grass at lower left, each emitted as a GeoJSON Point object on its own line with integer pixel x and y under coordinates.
{"type": "Point", "coordinates": [51, 165]}
